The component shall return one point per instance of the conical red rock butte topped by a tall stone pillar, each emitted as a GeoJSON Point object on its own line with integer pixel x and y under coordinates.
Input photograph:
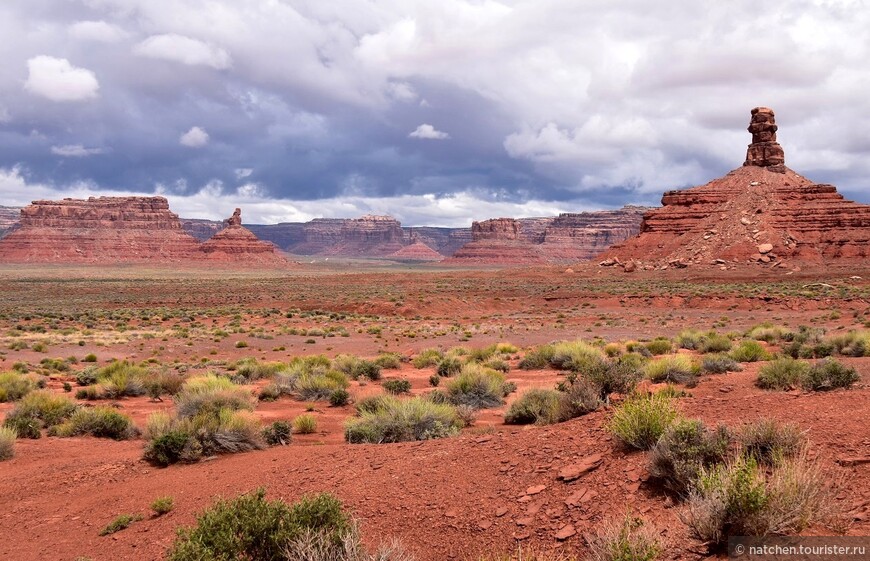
{"type": "Point", "coordinates": [762, 213]}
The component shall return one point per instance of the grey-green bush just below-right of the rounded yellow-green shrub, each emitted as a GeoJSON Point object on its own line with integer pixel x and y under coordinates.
{"type": "Point", "coordinates": [684, 449]}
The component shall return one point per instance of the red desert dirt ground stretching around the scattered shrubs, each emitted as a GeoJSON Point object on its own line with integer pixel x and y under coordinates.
{"type": "Point", "coordinates": [460, 498]}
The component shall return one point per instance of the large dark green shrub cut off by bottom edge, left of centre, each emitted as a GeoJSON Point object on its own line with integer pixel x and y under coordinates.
{"type": "Point", "coordinates": [251, 527]}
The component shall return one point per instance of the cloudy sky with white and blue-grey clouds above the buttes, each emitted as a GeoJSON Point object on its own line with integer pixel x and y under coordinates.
{"type": "Point", "coordinates": [435, 112]}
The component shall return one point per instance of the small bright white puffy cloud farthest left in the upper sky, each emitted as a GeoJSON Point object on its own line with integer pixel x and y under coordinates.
{"type": "Point", "coordinates": [58, 80]}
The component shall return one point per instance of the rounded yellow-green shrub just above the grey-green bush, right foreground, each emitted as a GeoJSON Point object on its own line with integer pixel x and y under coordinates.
{"type": "Point", "coordinates": [641, 420]}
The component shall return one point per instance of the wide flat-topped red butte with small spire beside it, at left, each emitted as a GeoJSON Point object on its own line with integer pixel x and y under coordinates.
{"type": "Point", "coordinates": [122, 230]}
